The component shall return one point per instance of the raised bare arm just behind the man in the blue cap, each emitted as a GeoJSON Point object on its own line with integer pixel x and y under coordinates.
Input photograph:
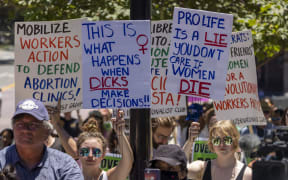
{"type": "Point", "coordinates": [67, 141]}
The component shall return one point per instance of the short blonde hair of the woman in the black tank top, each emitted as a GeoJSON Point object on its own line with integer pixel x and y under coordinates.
{"type": "Point", "coordinates": [227, 128]}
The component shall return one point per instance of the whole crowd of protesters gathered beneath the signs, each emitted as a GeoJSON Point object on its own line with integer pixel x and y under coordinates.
{"type": "Point", "coordinates": [42, 144]}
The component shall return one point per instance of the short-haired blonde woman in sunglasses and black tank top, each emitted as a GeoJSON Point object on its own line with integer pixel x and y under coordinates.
{"type": "Point", "coordinates": [223, 140]}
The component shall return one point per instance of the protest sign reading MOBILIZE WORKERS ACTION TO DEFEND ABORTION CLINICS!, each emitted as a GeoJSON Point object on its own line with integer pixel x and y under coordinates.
{"type": "Point", "coordinates": [48, 62]}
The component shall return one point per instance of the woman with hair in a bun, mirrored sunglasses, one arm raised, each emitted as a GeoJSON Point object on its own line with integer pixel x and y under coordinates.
{"type": "Point", "coordinates": [91, 147]}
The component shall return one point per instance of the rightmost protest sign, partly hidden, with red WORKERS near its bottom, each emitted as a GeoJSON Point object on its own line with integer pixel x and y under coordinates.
{"type": "Point", "coordinates": [241, 103]}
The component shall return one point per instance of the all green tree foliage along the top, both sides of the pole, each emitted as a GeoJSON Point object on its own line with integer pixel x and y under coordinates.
{"type": "Point", "coordinates": [267, 19]}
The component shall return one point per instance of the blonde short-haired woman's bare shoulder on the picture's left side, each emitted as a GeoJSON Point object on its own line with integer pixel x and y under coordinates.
{"type": "Point", "coordinates": [195, 169]}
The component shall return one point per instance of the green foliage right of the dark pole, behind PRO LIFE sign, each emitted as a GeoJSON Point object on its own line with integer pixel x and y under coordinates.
{"type": "Point", "coordinates": [267, 20]}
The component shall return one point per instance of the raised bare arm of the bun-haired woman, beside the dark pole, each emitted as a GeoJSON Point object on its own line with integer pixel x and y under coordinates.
{"type": "Point", "coordinates": [122, 170]}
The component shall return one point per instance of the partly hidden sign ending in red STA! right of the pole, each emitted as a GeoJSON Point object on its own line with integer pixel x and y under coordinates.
{"type": "Point", "coordinates": [163, 103]}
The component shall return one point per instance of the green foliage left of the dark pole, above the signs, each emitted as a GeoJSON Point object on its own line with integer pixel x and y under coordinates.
{"type": "Point", "coordinates": [41, 10]}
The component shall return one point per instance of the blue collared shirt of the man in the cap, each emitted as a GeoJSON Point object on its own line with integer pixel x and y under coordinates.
{"type": "Point", "coordinates": [54, 165]}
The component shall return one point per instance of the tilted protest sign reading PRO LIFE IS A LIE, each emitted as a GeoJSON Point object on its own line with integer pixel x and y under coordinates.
{"type": "Point", "coordinates": [199, 53]}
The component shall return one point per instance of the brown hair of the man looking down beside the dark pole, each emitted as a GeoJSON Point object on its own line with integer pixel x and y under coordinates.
{"type": "Point", "coordinates": [168, 122]}
